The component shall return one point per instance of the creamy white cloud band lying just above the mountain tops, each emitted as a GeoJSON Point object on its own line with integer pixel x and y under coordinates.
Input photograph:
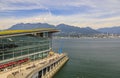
{"type": "Point", "coordinates": [79, 20]}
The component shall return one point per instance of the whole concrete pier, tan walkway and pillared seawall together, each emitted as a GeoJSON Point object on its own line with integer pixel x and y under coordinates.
{"type": "Point", "coordinates": [43, 68]}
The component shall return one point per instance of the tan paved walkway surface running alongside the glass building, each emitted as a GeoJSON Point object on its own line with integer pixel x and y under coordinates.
{"type": "Point", "coordinates": [23, 71]}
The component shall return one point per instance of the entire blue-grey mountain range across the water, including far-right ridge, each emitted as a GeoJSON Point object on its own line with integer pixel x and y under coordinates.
{"type": "Point", "coordinates": [66, 29]}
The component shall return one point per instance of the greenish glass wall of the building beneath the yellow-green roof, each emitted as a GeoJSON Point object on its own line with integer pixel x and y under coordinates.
{"type": "Point", "coordinates": [19, 47]}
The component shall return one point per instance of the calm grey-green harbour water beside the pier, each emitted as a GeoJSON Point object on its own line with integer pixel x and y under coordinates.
{"type": "Point", "coordinates": [90, 58]}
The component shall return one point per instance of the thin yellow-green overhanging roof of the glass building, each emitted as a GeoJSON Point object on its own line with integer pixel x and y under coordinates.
{"type": "Point", "coordinates": [8, 33]}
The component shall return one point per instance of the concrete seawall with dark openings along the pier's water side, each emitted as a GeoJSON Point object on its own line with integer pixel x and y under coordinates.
{"type": "Point", "coordinates": [50, 69]}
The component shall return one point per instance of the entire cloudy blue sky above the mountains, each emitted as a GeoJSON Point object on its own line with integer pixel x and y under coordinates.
{"type": "Point", "coordinates": [82, 13]}
